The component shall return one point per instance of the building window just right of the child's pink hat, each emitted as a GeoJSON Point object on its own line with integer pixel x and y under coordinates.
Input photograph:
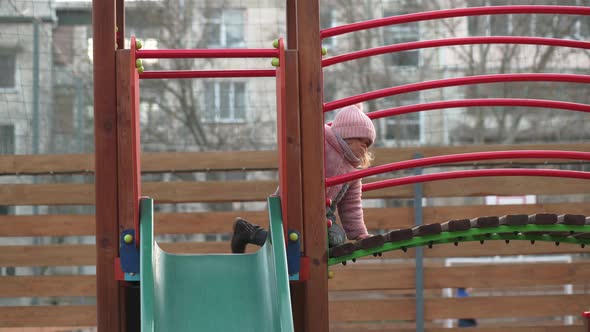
{"type": "Point", "coordinates": [404, 128]}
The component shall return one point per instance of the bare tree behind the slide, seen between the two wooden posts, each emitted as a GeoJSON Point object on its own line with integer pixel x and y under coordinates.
{"type": "Point", "coordinates": [178, 110]}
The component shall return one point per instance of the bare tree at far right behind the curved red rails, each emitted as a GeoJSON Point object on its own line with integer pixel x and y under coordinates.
{"type": "Point", "coordinates": [508, 124]}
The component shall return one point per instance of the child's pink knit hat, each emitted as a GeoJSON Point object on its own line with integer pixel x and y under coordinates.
{"type": "Point", "coordinates": [351, 122]}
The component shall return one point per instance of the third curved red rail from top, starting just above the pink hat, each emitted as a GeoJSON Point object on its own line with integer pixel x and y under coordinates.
{"type": "Point", "coordinates": [457, 81]}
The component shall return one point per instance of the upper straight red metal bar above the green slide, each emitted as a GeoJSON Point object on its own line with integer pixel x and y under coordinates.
{"type": "Point", "coordinates": [207, 53]}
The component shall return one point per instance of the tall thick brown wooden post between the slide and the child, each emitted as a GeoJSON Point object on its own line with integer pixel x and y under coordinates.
{"type": "Point", "coordinates": [311, 297]}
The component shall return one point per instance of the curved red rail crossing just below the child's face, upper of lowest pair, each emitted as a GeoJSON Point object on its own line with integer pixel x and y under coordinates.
{"type": "Point", "coordinates": [454, 158]}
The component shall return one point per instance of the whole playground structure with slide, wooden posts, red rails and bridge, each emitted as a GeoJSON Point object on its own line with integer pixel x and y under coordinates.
{"type": "Point", "coordinates": [173, 298]}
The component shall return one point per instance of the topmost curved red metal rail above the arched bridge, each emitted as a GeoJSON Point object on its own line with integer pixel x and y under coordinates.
{"type": "Point", "coordinates": [456, 12]}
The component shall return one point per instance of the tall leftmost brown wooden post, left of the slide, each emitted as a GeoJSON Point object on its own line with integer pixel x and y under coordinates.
{"type": "Point", "coordinates": [108, 295]}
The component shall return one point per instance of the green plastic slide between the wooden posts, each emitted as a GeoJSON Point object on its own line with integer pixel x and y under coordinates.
{"type": "Point", "coordinates": [217, 292]}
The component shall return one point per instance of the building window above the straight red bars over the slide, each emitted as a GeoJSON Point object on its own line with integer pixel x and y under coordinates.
{"type": "Point", "coordinates": [225, 28]}
